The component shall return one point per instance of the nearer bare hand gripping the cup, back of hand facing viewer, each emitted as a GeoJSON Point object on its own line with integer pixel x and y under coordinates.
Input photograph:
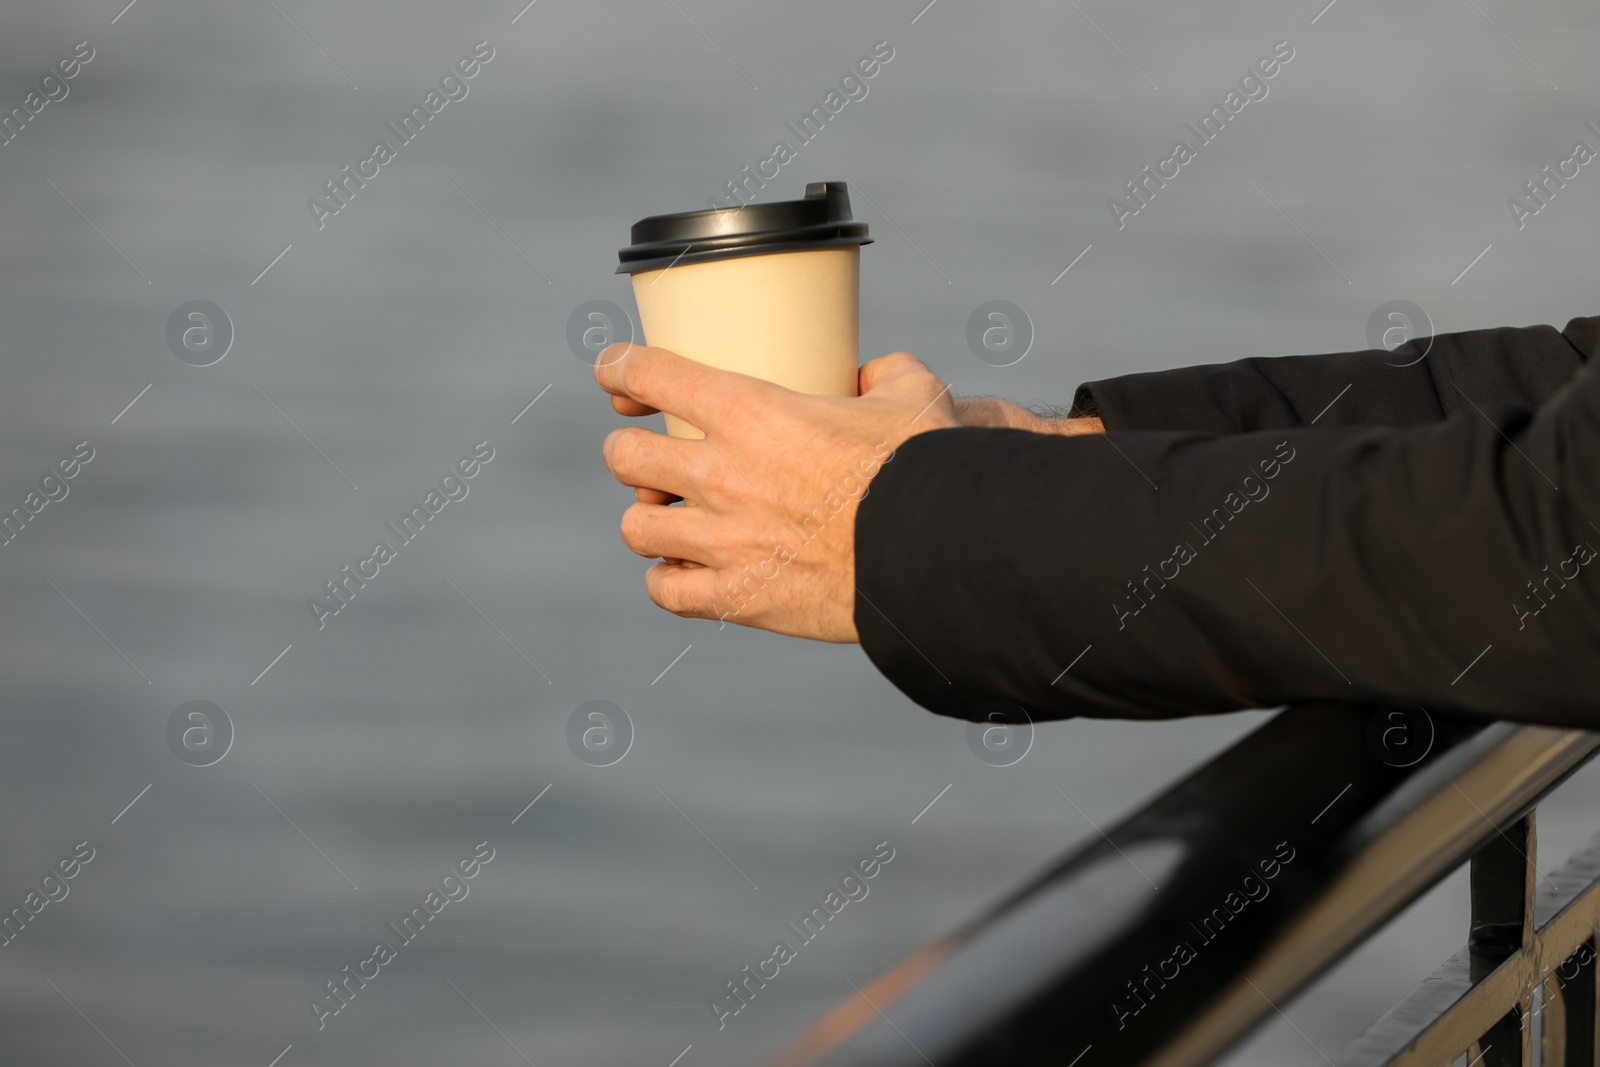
{"type": "Point", "coordinates": [772, 538]}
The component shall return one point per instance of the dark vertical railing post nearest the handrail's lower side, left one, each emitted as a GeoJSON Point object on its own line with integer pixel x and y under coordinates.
{"type": "Point", "coordinates": [1503, 892]}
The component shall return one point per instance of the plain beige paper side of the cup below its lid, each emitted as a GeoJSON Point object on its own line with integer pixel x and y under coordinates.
{"type": "Point", "coordinates": [786, 318]}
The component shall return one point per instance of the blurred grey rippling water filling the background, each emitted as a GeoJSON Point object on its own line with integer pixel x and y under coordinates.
{"type": "Point", "coordinates": [425, 318]}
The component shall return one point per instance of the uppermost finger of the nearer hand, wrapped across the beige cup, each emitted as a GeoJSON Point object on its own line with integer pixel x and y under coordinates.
{"type": "Point", "coordinates": [660, 380]}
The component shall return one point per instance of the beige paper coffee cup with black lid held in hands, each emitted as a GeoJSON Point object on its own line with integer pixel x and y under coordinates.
{"type": "Point", "coordinates": [767, 290]}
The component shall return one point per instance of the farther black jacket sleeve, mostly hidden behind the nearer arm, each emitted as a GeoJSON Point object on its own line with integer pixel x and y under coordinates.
{"type": "Point", "coordinates": [1422, 382]}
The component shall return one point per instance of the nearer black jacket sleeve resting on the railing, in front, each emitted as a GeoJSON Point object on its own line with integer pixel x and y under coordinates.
{"type": "Point", "coordinates": [1452, 564]}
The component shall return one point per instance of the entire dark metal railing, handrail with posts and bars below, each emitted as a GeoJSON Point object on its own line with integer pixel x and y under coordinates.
{"type": "Point", "coordinates": [1170, 938]}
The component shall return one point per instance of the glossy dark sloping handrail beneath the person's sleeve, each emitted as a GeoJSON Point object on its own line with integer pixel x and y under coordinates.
{"type": "Point", "coordinates": [1290, 849]}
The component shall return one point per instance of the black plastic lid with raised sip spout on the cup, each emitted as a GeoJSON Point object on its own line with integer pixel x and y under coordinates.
{"type": "Point", "coordinates": [818, 222]}
